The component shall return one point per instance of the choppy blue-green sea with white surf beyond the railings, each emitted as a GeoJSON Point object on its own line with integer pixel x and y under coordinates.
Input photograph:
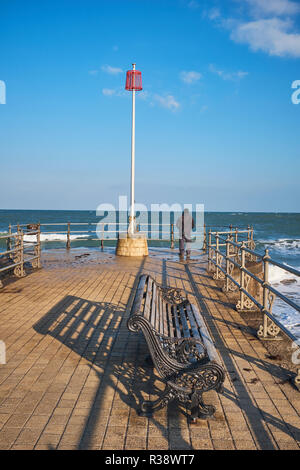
{"type": "Point", "coordinates": [279, 232]}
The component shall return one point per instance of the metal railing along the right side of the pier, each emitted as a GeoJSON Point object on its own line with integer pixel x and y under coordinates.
{"type": "Point", "coordinates": [238, 255]}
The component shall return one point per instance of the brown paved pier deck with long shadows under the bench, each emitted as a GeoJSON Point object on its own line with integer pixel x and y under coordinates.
{"type": "Point", "coordinates": [75, 374]}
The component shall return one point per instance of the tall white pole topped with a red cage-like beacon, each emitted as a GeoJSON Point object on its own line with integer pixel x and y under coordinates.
{"type": "Point", "coordinates": [133, 83]}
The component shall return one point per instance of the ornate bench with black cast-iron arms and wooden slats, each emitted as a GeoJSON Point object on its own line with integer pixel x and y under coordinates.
{"type": "Point", "coordinates": [181, 348]}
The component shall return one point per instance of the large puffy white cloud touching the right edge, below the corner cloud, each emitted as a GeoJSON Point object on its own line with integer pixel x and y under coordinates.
{"type": "Point", "coordinates": [274, 36]}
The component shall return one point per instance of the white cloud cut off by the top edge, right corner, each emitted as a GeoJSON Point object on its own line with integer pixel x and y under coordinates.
{"type": "Point", "coordinates": [273, 7]}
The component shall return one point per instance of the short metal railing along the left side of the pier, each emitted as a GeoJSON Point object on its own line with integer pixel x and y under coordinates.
{"type": "Point", "coordinates": [20, 251]}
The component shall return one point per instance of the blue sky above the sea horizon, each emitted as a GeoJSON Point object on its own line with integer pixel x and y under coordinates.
{"type": "Point", "coordinates": [215, 123]}
